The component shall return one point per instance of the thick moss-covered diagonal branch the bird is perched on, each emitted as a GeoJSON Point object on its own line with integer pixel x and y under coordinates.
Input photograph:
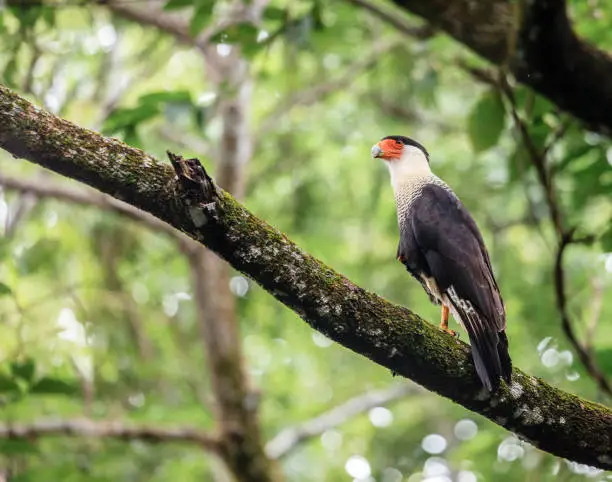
{"type": "Point", "coordinates": [390, 335]}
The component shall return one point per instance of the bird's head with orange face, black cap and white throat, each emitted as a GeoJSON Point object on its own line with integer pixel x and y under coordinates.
{"type": "Point", "coordinates": [403, 156]}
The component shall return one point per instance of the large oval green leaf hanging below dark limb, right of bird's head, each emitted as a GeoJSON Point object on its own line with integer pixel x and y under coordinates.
{"type": "Point", "coordinates": [486, 121]}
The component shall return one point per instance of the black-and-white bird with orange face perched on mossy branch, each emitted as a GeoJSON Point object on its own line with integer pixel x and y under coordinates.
{"type": "Point", "coordinates": [441, 246]}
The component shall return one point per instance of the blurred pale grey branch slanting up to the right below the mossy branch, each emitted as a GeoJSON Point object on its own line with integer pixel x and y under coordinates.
{"type": "Point", "coordinates": [291, 437]}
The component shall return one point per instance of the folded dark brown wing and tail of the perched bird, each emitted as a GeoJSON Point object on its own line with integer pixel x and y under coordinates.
{"type": "Point", "coordinates": [457, 258]}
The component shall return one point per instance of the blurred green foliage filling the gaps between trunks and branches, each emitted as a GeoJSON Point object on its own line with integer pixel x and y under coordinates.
{"type": "Point", "coordinates": [87, 297]}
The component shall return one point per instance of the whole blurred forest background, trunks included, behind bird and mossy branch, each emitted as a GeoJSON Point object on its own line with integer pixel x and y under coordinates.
{"type": "Point", "coordinates": [130, 352]}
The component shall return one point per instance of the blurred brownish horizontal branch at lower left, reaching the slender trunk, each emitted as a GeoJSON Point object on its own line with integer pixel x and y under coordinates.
{"type": "Point", "coordinates": [108, 429]}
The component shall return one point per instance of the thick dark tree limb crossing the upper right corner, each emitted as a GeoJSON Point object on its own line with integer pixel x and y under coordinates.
{"type": "Point", "coordinates": [535, 40]}
